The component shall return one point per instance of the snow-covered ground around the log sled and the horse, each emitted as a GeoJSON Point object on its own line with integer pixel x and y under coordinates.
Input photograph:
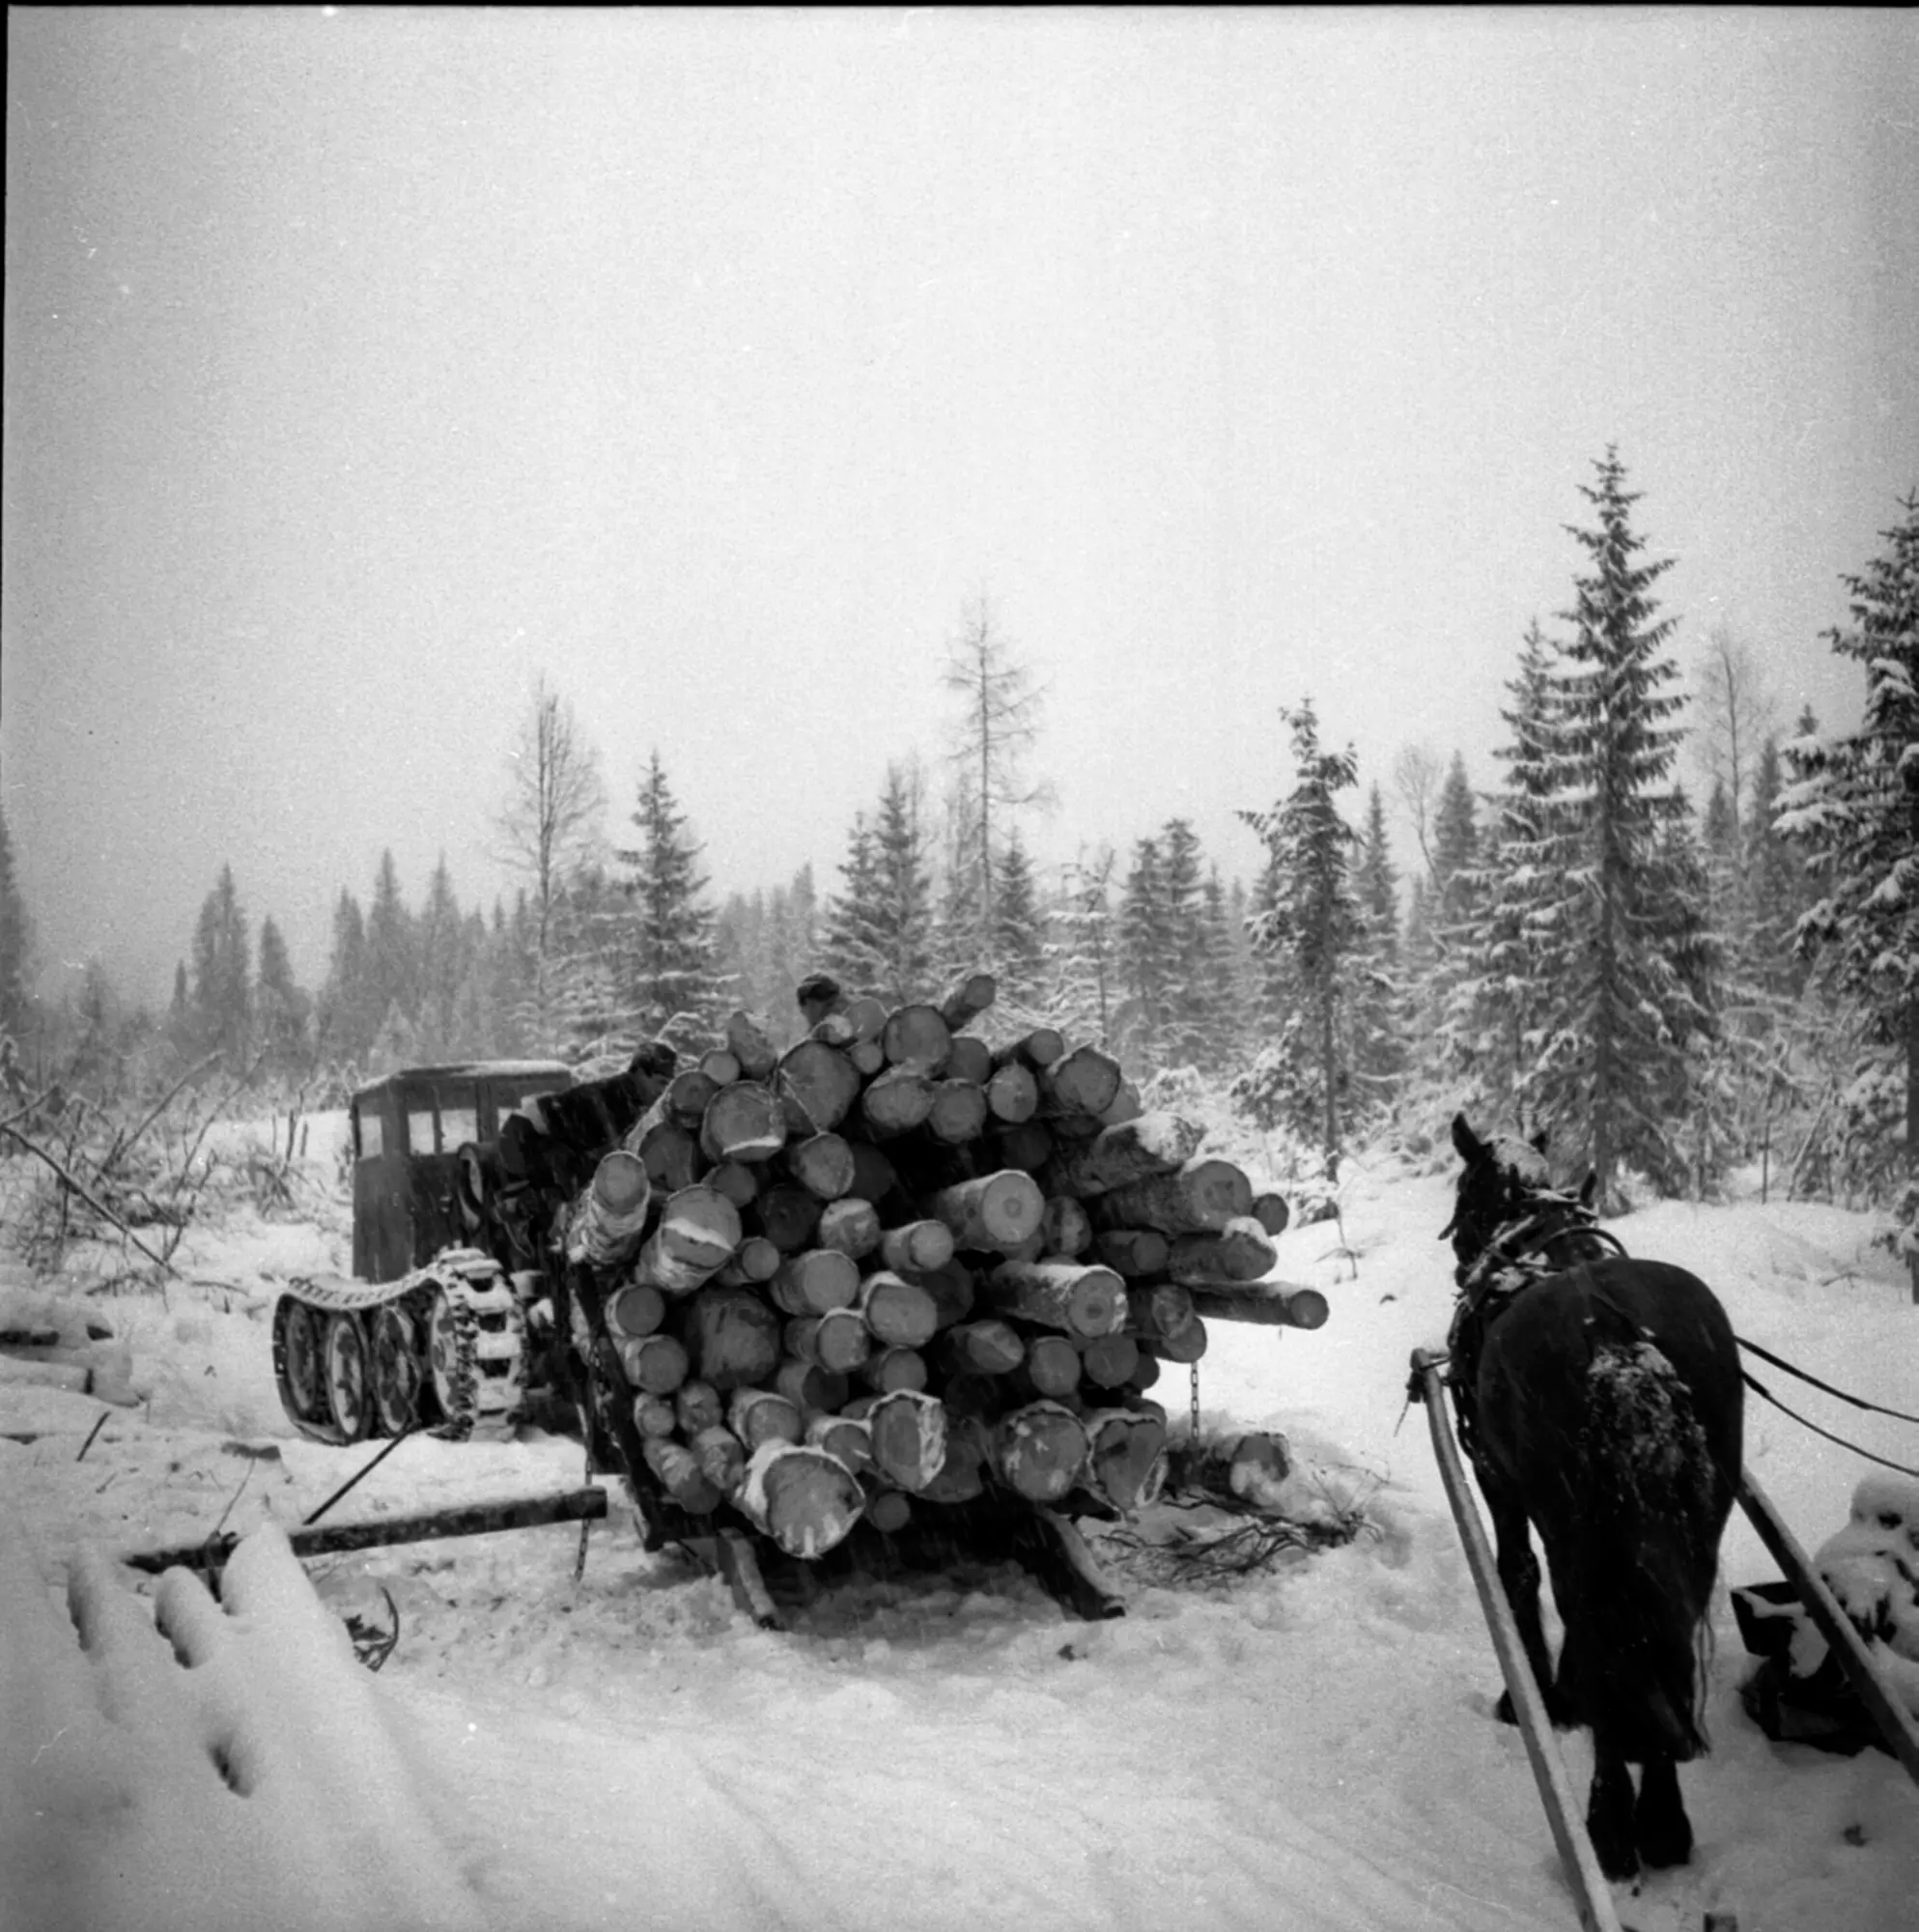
{"type": "Point", "coordinates": [1306, 1749]}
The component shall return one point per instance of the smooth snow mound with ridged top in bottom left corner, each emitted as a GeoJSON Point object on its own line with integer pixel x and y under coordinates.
{"type": "Point", "coordinates": [204, 1765]}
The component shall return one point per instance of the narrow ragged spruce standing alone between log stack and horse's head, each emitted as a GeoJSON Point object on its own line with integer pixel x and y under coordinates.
{"type": "Point", "coordinates": [1306, 930]}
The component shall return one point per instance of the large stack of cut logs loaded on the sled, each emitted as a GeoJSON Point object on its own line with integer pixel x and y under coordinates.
{"type": "Point", "coordinates": [891, 1268]}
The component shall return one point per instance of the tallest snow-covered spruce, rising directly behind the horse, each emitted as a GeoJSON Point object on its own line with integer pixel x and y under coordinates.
{"type": "Point", "coordinates": [1630, 994]}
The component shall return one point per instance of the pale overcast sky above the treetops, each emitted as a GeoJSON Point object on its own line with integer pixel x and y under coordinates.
{"type": "Point", "coordinates": [366, 364]}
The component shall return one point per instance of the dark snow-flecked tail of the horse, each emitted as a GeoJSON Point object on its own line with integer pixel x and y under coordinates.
{"type": "Point", "coordinates": [1652, 1554]}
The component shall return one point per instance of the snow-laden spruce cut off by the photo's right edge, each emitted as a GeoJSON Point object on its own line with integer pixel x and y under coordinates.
{"type": "Point", "coordinates": [1856, 809]}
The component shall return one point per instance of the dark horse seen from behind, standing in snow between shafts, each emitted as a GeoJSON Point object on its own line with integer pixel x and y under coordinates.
{"type": "Point", "coordinates": [1599, 1400]}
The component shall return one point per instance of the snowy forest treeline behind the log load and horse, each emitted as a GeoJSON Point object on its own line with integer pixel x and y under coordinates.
{"type": "Point", "coordinates": [1667, 980]}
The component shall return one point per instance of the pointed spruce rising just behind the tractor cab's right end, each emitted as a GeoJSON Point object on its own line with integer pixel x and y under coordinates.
{"type": "Point", "coordinates": [665, 973]}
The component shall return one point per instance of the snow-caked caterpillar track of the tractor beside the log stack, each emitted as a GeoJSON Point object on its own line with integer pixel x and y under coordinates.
{"type": "Point", "coordinates": [443, 1350]}
